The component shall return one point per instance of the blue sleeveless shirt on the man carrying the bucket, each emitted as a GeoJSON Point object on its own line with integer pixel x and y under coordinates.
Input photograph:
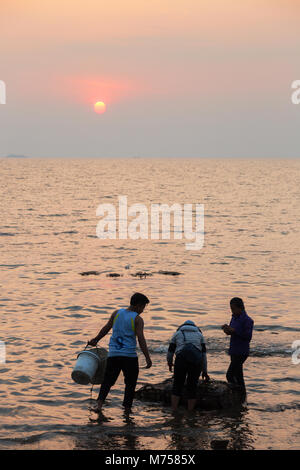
{"type": "Point", "coordinates": [123, 340]}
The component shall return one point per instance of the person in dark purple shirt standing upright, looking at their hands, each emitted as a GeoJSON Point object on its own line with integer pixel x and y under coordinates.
{"type": "Point", "coordinates": [240, 331]}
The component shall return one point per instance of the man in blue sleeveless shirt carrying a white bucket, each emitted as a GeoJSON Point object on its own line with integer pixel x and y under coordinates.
{"type": "Point", "coordinates": [126, 324]}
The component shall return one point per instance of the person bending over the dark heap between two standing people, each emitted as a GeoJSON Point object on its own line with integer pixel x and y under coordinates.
{"type": "Point", "coordinates": [189, 347]}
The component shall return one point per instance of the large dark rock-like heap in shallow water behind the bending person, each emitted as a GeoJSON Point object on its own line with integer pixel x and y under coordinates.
{"type": "Point", "coordinates": [212, 395]}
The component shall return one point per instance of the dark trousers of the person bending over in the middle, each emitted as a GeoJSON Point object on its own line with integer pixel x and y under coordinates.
{"type": "Point", "coordinates": [184, 371]}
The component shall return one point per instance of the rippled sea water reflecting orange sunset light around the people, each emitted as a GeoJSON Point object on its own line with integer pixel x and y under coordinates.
{"type": "Point", "coordinates": [49, 311]}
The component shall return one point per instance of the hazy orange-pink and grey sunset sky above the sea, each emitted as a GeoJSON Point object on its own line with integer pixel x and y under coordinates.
{"type": "Point", "coordinates": [190, 78]}
